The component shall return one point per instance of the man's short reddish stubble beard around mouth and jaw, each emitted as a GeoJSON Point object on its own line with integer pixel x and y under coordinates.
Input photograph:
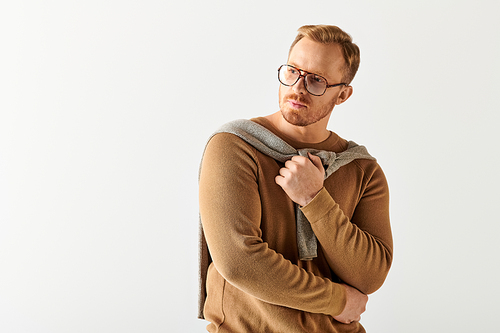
{"type": "Point", "coordinates": [303, 117]}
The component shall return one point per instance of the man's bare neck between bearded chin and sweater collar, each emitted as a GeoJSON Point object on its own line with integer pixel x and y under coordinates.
{"type": "Point", "coordinates": [313, 133]}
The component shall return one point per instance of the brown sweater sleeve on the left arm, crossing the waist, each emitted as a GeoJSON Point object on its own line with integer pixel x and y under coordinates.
{"type": "Point", "coordinates": [230, 209]}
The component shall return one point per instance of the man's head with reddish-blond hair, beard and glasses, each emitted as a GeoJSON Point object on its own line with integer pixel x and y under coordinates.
{"type": "Point", "coordinates": [328, 52]}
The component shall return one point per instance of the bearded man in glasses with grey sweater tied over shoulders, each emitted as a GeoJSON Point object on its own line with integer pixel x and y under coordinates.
{"type": "Point", "coordinates": [250, 206]}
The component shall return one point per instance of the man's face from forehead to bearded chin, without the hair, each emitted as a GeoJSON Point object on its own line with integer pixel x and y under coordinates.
{"type": "Point", "coordinates": [297, 106]}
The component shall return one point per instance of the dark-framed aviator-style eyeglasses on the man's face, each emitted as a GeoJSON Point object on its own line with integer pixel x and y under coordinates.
{"type": "Point", "coordinates": [315, 84]}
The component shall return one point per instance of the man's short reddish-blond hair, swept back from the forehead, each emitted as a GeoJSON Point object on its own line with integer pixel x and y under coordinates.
{"type": "Point", "coordinates": [330, 34]}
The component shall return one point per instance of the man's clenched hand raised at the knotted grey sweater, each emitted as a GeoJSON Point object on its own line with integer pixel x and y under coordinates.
{"type": "Point", "coordinates": [302, 178]}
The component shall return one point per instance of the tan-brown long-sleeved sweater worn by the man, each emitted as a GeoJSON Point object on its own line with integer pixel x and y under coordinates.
{"type": "Point", "coordinates": [256, 282]}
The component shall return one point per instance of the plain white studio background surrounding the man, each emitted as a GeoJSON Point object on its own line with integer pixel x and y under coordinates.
{"type": "Point", "coordinates": [105, 107]}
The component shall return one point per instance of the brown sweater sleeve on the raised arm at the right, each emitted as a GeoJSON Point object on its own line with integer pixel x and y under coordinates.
{"type": "Point", "coordinates": [359, 250]}
